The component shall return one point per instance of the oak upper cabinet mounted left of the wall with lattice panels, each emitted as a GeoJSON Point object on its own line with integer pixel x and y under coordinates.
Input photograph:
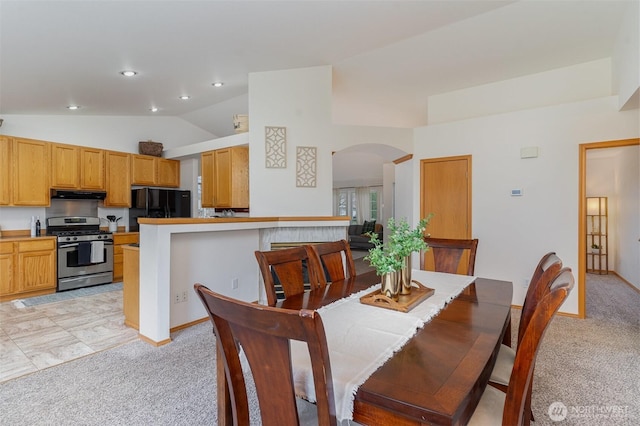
{"type": "Point", "coordinates": [225, 178]}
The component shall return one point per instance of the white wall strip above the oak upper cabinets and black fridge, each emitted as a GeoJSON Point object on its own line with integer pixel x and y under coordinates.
{"type": "Point", "coordinates": [106, 132]}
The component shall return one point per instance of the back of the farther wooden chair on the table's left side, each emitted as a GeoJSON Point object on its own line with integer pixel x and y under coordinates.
{"type": "Point", "coordinates": [330, 257]}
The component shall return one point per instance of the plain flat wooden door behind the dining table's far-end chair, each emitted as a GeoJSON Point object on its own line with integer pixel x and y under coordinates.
{"type": "Point", "coordinates": [445, 191]}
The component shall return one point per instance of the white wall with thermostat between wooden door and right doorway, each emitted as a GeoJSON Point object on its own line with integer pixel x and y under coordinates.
{"type": "Point", "coordinates": [514, 232]}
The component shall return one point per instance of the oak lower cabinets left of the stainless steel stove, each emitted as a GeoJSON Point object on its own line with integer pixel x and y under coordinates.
{"type": "Point", "coordinates": [28, 267]}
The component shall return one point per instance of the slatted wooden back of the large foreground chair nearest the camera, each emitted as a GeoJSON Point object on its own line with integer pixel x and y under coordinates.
{"type": "Point", "coordinates": [263, 335]}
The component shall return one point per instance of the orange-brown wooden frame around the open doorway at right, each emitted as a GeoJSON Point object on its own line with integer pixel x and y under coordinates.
{"type": "Point", "coordinates": [582, 212]}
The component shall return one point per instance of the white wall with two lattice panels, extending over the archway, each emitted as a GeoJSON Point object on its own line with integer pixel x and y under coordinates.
{"type": "Point", "coordinates": [300, 100]}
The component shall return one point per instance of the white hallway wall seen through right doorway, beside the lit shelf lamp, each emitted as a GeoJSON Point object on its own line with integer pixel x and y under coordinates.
{"type": "Point", "coordinates": [627, 263]}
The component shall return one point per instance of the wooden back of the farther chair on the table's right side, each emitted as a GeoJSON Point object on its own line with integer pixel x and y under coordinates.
{"type": "Point", "coordinates": [548, 267]}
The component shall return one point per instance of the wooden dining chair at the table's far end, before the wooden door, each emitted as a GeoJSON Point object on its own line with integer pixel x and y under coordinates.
{"type": "Point", "coordinates": [447, 254]}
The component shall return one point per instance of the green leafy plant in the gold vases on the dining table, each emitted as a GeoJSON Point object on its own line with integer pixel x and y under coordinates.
{"type": "Point", "coordinates": [402, 241]}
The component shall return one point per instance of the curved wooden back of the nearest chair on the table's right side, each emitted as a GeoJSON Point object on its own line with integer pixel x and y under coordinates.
{"type": "Point", "coordinates": [516, 409]}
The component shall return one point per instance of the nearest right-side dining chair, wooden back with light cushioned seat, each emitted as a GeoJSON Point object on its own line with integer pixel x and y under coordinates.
{"type": "Point", "coordinates": [510, 408]}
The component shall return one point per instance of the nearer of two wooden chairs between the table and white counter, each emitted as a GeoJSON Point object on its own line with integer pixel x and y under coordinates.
{"type": "Point", "coordinates": [289, 271]}
